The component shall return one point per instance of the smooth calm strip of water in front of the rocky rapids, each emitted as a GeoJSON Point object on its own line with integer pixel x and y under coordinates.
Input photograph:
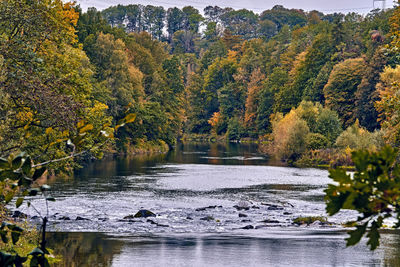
{"type": "Point", "coordinates": [317, 249]}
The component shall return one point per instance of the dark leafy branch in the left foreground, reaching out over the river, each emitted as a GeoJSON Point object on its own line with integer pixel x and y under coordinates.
{"type": "Point", "coordinates": [18, 178]}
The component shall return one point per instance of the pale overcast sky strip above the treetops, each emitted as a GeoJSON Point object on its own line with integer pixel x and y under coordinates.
{"type": "Point", "coordinates": [326, 6]}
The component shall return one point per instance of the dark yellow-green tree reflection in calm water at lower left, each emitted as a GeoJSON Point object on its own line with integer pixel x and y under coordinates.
{"type": "Point", "coordinates": [84, 249]}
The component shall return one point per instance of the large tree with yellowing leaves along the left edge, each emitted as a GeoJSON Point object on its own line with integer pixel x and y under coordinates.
{"type": "Point", "coordinates": [46, 85]}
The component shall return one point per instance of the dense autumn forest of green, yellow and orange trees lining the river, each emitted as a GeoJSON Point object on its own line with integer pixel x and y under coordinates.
{"type": "Point", "coordinates": [308, 85]}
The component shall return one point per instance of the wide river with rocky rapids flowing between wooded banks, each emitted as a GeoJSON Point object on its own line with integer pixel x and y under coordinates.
{"type": "Point", "coordinates": [196, 192]}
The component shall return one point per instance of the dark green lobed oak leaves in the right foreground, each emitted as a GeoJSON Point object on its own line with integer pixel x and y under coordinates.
{"type": "Point", "coordinates": [372, 191]}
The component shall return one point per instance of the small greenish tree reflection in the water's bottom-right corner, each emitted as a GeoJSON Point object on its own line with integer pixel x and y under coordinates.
{"type": "Point", "coordinates": [392, 249]}
